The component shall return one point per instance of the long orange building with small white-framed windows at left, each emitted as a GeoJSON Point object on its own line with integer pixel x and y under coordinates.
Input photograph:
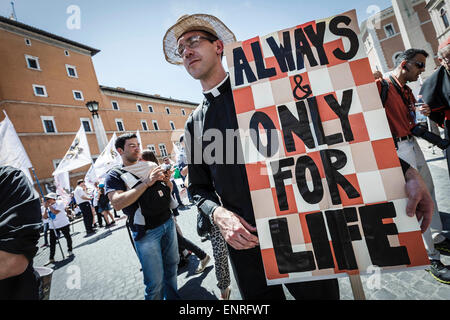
{"type": "Point", "coordinates": [45, 82]}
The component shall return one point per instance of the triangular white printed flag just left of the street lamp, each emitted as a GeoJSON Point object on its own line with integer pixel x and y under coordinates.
{"type": "Point", "coordinates": [78, 154]}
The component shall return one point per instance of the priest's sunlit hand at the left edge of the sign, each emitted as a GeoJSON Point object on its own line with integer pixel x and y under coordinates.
{"type": "Point", "coordinates": [235, 230]}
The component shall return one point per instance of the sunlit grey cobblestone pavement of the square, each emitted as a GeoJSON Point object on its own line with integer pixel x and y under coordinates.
{"type": "Point", "coordinates": [105, 267]}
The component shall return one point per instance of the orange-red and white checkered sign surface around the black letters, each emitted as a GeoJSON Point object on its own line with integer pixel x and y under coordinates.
{"type": "Point", "coordinates": [373, 167]}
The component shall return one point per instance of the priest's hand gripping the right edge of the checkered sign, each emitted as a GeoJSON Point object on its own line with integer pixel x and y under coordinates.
{"type": "Point", "coordinates": [420, 202]}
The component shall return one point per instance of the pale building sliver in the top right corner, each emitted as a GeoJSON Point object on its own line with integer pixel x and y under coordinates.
{"type": "Point", "coordinates": [440, 15]}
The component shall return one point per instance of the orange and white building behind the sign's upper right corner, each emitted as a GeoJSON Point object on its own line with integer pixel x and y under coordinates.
{"type": "Point", "coordinates": [391, 31]}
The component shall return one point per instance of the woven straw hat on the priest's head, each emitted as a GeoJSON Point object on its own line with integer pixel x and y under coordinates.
{"type": "Point", "coordinates": [194, 22]}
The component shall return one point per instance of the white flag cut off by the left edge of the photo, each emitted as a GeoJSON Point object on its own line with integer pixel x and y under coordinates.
{"type": "Point", "coordinates": [12, 152]}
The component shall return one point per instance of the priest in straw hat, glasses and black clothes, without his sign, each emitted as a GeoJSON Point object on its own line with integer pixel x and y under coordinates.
{"type": "Point", "coordinates": [197, 41]}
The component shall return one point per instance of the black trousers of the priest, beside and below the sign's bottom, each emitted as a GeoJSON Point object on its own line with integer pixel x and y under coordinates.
{"type": "Point", "coordinates": [249, 273]}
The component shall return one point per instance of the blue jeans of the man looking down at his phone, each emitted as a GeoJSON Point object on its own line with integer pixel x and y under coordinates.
{"type": "Point", "coordinates": [158, 254]}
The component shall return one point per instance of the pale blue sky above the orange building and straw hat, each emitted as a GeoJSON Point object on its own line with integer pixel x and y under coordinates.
{"type": "Point", "coordinates": [129, 33]}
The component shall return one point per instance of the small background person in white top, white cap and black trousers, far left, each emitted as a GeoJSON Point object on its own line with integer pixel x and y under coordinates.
{"type": "Point", "coordinates": [55, 211]}
